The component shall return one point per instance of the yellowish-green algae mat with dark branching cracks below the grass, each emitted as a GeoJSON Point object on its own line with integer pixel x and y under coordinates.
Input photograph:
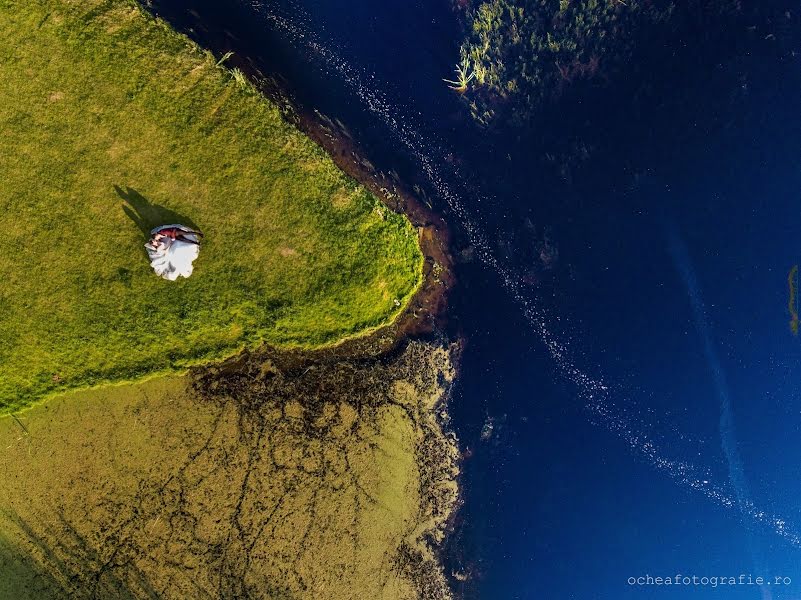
{"type": "Point", "coordinates": [306, 475]}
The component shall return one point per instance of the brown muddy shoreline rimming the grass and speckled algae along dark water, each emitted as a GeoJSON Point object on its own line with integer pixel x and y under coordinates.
{"type": "Point", "coordinates": [425, 316]}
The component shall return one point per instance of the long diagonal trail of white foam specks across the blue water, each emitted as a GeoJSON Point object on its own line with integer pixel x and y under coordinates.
{"type": "Point", "coordinates": [593, 391]}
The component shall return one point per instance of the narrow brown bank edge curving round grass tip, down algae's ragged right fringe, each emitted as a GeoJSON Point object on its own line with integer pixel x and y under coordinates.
{"type": "Point", "coordinates": [424, 317]}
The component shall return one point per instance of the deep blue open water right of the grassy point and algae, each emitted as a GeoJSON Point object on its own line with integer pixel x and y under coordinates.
{"type": "Point", "coordinates": [629, 399]}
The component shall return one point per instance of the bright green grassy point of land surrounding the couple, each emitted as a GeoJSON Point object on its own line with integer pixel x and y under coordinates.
{"type": "Point", "coordinates": [112, 123]}
